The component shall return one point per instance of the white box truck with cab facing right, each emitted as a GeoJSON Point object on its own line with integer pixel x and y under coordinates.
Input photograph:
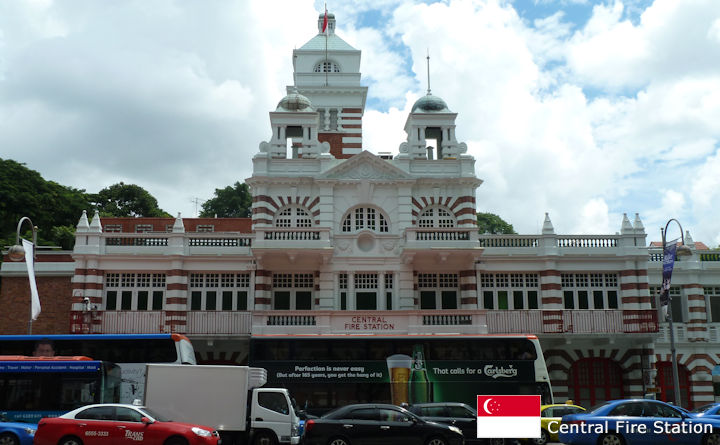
{"type": "Point", "coordinates": [229, 398]}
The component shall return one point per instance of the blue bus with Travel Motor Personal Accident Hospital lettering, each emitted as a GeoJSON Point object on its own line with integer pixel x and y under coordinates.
{"type": "Point", "coordinates": [36, 387]}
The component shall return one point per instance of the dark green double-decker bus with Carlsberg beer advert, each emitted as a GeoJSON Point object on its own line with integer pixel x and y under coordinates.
{"type": "Point", "coordinates": [326, 371]}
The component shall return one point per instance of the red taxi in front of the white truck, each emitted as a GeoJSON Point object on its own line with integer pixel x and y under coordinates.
{"type": "Point", "coordinates": [113, 423]}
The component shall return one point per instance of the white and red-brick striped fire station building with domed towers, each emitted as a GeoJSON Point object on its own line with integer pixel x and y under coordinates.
{"type": "Point", "coordinates": [339, 235]}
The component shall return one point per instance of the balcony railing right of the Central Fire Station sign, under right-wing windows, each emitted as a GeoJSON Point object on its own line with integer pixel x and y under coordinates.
{"type": "Point", "coordinates": [572, 321]}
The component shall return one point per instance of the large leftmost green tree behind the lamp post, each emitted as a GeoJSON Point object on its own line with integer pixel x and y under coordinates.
{"type": "Point", "coordinates": [50, 206]}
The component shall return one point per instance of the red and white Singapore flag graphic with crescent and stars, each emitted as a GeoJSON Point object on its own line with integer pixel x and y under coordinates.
{"type": "Point", "coordinates": [508, 417]}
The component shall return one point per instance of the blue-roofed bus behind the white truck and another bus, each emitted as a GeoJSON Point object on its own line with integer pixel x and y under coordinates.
{"type": "Point", "coordinates": [131, 352]}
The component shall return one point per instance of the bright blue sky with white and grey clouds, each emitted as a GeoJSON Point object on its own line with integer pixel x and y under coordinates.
{"type": "Point", "coordinates": [582, 109]}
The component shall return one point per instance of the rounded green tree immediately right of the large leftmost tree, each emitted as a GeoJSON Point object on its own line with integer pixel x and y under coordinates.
{"type": "Point", "coordinates": [127, 200]}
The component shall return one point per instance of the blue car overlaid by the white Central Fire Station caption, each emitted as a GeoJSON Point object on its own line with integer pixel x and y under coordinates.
{"type": "Point", "coordinates": [638, 422]}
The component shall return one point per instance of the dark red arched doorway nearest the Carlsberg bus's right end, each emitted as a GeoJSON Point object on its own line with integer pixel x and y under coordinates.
{"type": "Point", "coordinates": [595, 380]}
